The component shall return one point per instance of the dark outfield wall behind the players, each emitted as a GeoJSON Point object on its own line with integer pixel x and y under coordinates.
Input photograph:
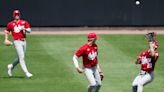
{"type": "Point", "coordinates": [85, 12]}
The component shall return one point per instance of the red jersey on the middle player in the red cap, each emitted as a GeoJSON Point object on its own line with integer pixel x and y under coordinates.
{"type": "Point", "coordinates": [89, 55]}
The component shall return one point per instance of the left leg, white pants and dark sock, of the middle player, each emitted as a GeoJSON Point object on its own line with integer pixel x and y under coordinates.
{"type": "Point", "coordinates": [92, 82]}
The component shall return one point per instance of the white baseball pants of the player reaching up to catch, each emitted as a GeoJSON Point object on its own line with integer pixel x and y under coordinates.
{"type": "Point", "coordinates": [142, 79]}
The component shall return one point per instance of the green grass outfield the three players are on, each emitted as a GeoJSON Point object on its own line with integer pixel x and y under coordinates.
{"type": "Point", "coordinates": [49, 58]}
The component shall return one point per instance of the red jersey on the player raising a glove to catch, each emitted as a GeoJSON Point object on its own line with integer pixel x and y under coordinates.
{"type": "Point", "coordinates": [147, 61]}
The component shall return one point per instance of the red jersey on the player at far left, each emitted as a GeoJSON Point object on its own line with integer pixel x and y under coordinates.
{"type": "Point", "coordinates": [16, 29]}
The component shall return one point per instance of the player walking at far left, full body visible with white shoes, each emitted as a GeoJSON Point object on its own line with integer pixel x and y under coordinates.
{"type": "Point", "coordinates": [18, 28]}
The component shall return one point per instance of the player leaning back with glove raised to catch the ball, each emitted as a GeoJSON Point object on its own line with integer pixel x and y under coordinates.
{"type": "Point", "coordinates": [147, 59]}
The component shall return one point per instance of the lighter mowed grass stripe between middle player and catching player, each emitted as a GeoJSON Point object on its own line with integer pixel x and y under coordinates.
{"type": "Point", "coordinates": [117, 66]}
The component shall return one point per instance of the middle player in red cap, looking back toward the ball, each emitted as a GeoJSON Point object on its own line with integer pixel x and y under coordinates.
{"type": "Point", "coordinates": [91, 68]}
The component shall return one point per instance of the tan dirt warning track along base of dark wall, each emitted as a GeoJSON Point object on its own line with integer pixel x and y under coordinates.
{"type": "Point", "coordinates": [98, 30]}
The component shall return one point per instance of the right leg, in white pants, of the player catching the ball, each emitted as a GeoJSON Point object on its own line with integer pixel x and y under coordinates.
{"type": "Point", "coordinates": [147, 78]}
